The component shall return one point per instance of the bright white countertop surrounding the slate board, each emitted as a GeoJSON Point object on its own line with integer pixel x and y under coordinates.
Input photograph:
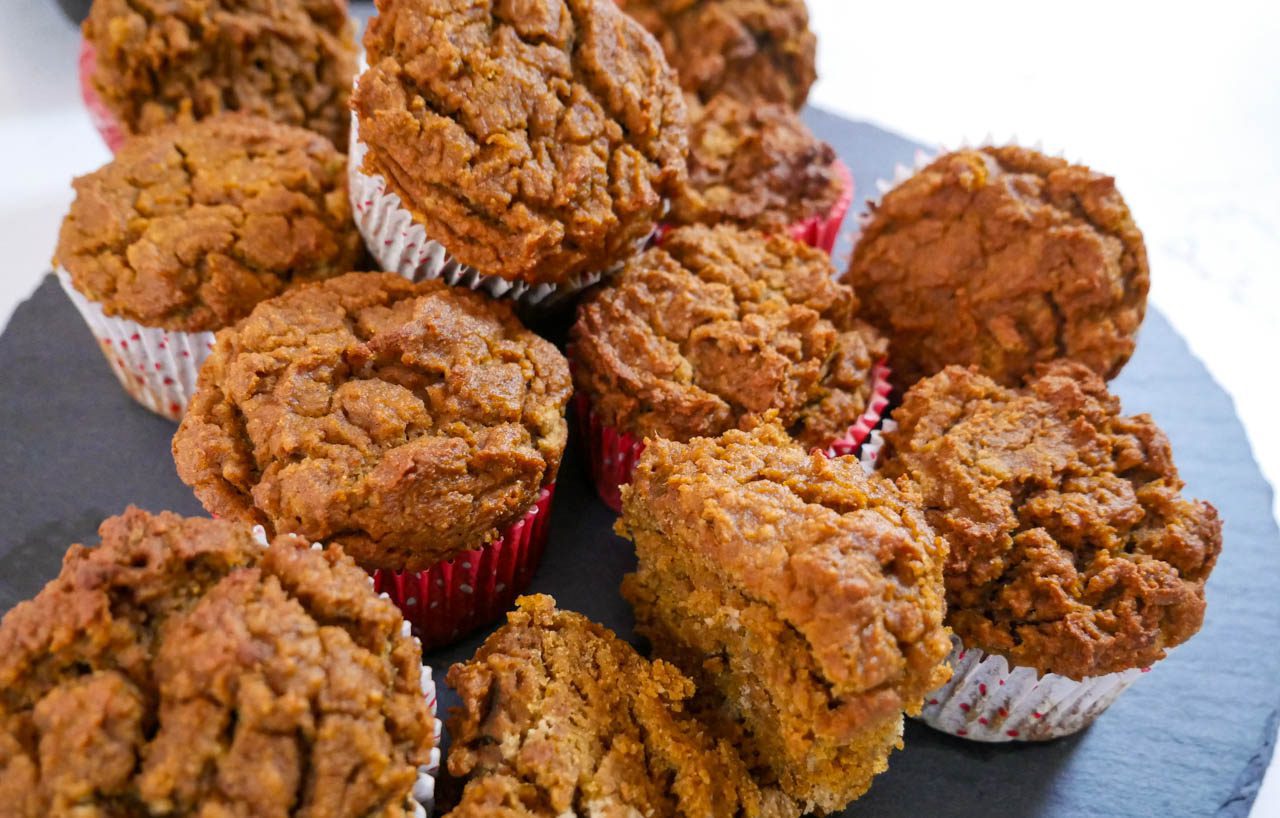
{"type": "Point", "coordinates": [1181, 106]}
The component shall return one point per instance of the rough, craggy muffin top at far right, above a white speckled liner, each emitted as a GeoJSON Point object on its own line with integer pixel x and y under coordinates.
{"type": "Point", "coordinates": [1073, 550]}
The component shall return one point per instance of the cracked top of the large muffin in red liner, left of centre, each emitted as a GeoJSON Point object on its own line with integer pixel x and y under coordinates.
{"type": "Point", "coordinates": [406, 423]}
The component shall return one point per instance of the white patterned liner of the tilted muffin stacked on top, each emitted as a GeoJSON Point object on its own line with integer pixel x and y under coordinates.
{"type": "Point", "coordinates": [400, 244]}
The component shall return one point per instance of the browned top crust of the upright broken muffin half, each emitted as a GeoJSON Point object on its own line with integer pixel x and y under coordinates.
{"type": "Point", "coordinates": [845, 559]}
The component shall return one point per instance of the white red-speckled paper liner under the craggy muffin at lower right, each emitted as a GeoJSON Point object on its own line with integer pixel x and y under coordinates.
{"type": "Point", "coordinates": [988, 701]}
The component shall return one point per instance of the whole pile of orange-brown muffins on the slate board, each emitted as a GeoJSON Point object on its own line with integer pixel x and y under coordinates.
{"type": "Point", "coordinates": [1007, 556]}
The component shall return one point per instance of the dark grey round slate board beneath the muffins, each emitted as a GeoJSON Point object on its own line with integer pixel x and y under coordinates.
{"type": "Point", "coordinates": [1192, 738]}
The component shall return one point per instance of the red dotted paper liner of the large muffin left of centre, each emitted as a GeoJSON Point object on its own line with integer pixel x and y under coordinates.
{"type": "Point", "coordinates": [455, 597]}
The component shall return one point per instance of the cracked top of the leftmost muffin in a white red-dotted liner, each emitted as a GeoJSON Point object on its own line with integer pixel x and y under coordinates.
{"type": "Point", "coordinates": [190, 227]}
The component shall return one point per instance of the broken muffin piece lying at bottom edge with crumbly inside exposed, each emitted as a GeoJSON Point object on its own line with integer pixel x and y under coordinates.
{"type": "Point", "coordinates": [561, 718]}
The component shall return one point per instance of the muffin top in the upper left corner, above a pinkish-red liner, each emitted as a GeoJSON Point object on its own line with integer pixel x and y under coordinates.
{"type": "Point", "coordinates": [159, 62]}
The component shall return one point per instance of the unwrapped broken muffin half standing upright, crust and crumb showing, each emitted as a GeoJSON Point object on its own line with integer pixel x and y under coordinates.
{"type": "Point", "coordinates": [803, 596]}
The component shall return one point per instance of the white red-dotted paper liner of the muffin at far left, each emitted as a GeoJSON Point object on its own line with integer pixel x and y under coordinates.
{"type": "Point", "coordinates": [157, 367]}
